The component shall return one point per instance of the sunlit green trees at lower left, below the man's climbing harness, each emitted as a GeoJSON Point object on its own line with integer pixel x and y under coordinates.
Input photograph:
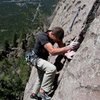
{"type": "Point", "coordinates": [13, 79]}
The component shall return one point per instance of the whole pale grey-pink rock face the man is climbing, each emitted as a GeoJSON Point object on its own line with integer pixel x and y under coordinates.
{"type": "Point", "coordinates": [80, 78]}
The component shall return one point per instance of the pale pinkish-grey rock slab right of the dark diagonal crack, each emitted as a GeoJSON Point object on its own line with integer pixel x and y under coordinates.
{"type": "Point", "coordinates": [81, 78]}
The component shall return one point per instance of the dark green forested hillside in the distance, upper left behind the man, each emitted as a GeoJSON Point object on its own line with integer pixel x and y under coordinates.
{"type": "Point", "coordinates": [16, 17]}
